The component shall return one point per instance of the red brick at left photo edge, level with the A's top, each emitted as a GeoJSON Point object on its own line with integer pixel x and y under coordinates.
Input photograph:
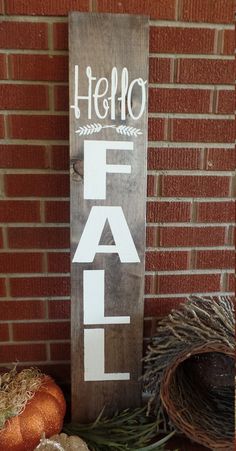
{"type": "Point", "coordinates": [19, 211]}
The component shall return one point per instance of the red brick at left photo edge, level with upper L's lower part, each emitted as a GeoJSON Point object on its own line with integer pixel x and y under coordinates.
{"type": "Point", "coordinates": [20, 310]}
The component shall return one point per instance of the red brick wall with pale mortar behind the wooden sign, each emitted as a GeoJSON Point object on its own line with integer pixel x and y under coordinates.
{"type": "Point", "coordinates": [190, 163]}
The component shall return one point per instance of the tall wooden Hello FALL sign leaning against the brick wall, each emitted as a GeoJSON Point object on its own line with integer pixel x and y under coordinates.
{"type": "Point", "coordinates": [108, 135]}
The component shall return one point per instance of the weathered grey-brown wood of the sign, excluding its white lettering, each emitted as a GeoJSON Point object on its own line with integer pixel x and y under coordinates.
{"type": "Point", "coordinates": [103, 41]}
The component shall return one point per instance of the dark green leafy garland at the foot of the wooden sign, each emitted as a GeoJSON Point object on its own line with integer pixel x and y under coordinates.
{"type": "Point", "coordinates": [129, 430]}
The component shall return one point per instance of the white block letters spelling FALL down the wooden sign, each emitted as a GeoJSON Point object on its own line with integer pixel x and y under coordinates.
{"type": "Point", "coordinates": [89, 245]}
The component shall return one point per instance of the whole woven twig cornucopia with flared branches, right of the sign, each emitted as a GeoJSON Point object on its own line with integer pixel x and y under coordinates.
{"type": "Point", "coordinates": [189, 370]}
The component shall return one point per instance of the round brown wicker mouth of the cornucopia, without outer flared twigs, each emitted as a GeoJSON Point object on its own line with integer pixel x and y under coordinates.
{"type": "Point", "coordinates": [201, 413]}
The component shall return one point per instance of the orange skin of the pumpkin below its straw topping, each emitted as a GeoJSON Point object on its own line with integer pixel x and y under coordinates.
{"type": "Point", "coordinates": [43, 413]}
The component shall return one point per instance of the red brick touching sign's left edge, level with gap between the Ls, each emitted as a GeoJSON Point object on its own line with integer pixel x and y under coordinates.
{"type": "Point", "coordinates": [41, 331]}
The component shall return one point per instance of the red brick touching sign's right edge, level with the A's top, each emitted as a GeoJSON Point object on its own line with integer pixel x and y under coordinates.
{"type": "Point", "coordinates": [168, 211]}
